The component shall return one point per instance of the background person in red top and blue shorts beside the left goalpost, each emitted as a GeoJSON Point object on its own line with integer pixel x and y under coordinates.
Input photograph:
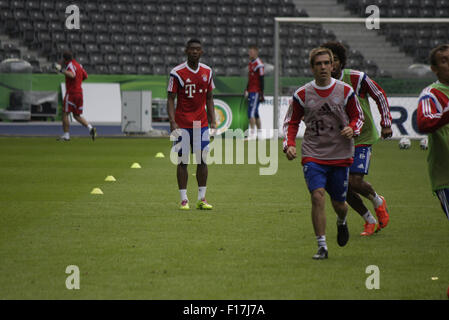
{"type": "Point", "coordinates": [254, 89]}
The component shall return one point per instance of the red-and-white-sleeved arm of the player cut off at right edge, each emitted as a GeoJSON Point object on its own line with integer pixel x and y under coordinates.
{"type": "Point", "coordinates": [429, 119]}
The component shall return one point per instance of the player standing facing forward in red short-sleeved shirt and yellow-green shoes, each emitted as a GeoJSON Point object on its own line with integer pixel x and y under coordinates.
{"type": "Point", "coordinates": [192, 84]}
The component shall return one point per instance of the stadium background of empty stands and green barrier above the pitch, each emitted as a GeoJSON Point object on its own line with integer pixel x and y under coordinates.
{"type": "Point", "coordinates": [136, 43]}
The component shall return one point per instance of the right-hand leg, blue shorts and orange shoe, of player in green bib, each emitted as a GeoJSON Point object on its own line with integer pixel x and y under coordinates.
{"type": "Point", "coordinates": [359, 169]}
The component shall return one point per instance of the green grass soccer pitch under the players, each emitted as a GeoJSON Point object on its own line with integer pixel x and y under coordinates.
{"type": "Point", "coordinates": [132, 242]}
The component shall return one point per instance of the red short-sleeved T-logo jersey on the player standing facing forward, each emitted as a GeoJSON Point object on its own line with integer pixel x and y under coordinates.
{"type": "Point", "coordinates": [191, 88]}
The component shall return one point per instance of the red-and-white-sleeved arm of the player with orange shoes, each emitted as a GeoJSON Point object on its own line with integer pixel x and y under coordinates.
{"type": "Point", "coordinates": [379, 96]}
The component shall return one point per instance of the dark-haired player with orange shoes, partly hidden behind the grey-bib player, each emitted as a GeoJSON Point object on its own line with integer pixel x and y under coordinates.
{"type": "Point", "coordinates": [364, 86]}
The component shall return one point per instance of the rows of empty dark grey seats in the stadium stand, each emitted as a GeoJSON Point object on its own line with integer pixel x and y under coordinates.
{"type": "Point", "coordinates": [148, 36]}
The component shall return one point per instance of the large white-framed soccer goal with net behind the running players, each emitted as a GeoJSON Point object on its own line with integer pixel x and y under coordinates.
{"type": "Point", "coordinates": [401, 73]}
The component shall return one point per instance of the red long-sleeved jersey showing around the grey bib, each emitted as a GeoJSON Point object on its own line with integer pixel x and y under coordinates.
{"type": "Point", "coordinates": [296, 112]}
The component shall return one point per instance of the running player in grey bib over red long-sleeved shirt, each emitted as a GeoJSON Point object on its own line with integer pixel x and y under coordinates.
{"type": "Point", "coordinates": [333, 116]}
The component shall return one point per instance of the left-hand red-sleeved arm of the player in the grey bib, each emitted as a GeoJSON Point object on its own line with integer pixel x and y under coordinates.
{"type": "Point", "coordinates": [291, 126]}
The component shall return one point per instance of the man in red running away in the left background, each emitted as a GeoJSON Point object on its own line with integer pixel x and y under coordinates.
{"type": "Point", "coordinates": [73, 100]}
